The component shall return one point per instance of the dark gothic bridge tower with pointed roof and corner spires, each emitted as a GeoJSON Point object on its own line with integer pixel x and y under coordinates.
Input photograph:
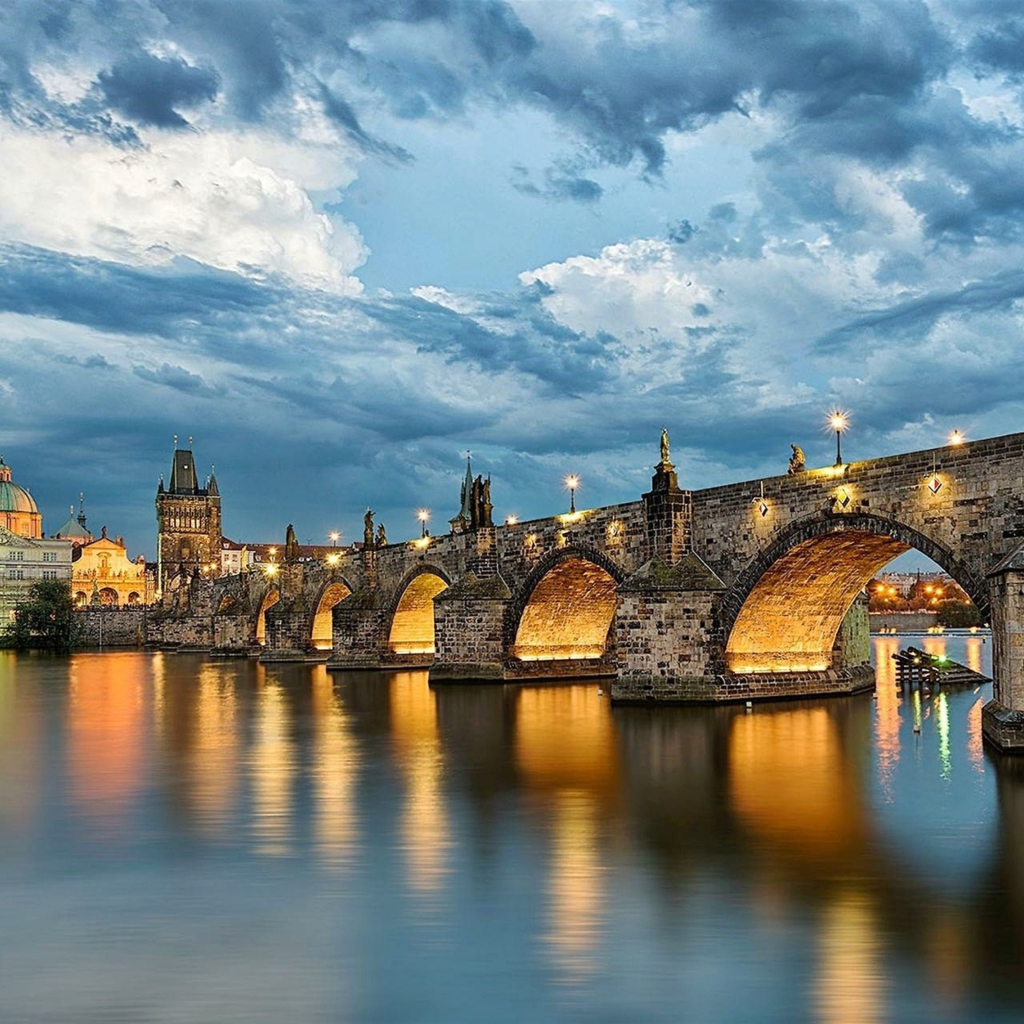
{"type": "Point", "coordinates": [189, 538]}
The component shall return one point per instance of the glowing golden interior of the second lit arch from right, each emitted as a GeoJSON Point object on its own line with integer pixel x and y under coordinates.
{"type": "Point", "coordinates": [569, 614]}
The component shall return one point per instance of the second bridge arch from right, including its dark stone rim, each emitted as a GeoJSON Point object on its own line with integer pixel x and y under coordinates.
{"type": "Point", "coordinates": [566, 608]}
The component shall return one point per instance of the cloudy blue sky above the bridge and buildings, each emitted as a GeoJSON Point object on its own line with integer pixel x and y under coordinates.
{"type": "Point", "coordinates": [342, 243]}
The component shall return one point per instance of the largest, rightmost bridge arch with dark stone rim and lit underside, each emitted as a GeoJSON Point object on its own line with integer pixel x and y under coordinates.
{"type": "Point", "coordinates": [786, 609]}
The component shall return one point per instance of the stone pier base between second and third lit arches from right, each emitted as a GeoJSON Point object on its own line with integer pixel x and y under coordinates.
{"type": "Point", "coordinates": [470, 621]}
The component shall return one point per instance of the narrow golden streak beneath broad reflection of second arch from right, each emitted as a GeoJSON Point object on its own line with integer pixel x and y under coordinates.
{"type": "Point", "coordinates": [576, 888]}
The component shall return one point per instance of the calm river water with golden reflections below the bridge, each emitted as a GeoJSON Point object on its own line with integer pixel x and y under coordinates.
{"type": "Point", "coordinates": [193, 841]}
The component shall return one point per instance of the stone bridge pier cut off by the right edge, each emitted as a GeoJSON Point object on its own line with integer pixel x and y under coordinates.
{"type": "Point", "coordinates": [1003, 717]}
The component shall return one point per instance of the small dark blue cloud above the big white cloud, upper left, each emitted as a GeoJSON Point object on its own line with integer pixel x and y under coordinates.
{"type": "Point", "coordinates": [149, 90]}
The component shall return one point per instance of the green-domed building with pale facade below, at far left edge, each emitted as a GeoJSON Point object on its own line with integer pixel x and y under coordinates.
{"type": "Point", "coordinates": [25, 554]}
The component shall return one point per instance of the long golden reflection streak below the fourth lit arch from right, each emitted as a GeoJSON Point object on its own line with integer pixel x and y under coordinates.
{"type": "Point", "coordinates": [336, 766]}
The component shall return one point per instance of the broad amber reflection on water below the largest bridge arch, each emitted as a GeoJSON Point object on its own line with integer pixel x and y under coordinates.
{"type": "Point", "coordinates": [791, 784]}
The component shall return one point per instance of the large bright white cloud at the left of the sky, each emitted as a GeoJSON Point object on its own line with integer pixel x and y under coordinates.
{"type": "Point", "coordinates": [234, 201]}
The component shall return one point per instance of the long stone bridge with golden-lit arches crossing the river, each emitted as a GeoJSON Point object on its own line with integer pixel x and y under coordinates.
{"type": "Point", "coordinates": [738, 592]}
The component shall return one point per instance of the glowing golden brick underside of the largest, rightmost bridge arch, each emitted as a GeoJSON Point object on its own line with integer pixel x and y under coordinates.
{"type": "Point", "coordinates": [790, 621]}
